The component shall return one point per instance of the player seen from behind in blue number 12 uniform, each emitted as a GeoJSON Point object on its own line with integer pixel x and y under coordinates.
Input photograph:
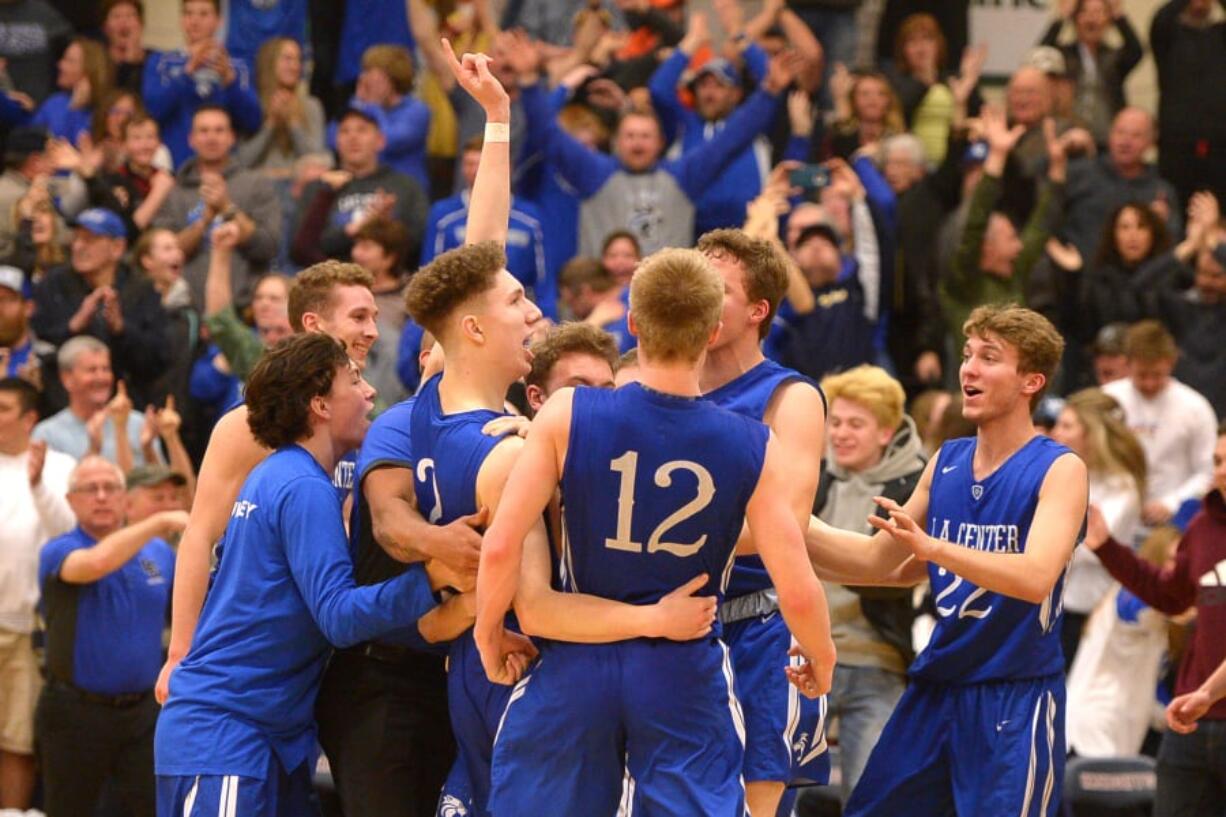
{"type": "Point", "coordinates": [654, 495]}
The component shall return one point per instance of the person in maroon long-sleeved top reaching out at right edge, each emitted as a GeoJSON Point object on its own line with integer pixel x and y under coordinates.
{"type": "Point", "coordinates": [1190, 767]}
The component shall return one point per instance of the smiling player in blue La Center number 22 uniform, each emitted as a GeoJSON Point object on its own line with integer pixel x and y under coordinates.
{"type": "Point", "coordinates": [980, 731]}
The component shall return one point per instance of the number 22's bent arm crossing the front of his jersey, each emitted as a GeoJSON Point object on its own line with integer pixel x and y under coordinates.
{"type": "Point", "coordinates": [1029, 576]}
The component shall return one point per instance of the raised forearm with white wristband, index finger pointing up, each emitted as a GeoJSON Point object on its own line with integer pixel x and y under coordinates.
{"type": "Point", "coordinates": [490, 208]}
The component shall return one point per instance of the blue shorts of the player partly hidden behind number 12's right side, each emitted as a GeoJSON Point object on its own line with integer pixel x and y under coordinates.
{"type": "Point", "coordinates": [785, 732]}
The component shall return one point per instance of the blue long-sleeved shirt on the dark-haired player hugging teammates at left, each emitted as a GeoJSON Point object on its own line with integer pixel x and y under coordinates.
{"type": "Point", "coordinates": [283, 598]}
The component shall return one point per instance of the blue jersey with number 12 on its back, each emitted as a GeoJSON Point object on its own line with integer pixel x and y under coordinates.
{"type": "Point", "coordinates": [654, 493]}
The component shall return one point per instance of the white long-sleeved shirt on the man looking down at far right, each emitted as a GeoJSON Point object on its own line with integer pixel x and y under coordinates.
{"type": "Point", "coordinates": [1179, 430]}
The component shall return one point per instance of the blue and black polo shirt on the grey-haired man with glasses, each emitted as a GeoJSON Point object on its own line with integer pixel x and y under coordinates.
{"type": "Point", "coordinates": [106, 637]}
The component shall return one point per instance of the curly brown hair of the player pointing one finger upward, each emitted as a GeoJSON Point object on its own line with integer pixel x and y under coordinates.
{"type": "Point", "coordinates": [447, 283]}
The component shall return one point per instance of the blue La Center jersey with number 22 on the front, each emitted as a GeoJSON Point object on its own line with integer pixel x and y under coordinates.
{"type": "Point", "coordinates": [985, 636]}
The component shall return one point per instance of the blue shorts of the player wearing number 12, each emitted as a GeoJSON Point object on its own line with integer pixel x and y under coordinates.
{"type": "Point", "coordinates": [665, 712]}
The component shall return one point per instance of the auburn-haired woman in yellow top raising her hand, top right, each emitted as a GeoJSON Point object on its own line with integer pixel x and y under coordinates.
{"type": "Point", "coordinates": [930, 95]}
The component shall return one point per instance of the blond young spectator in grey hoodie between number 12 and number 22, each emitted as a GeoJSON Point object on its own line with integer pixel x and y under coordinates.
{"type": "Point", "coordinates": [874, 451]}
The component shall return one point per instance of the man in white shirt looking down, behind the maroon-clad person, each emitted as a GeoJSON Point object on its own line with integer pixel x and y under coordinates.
{"type": "Point", "coordinates": [1174, 424]}
